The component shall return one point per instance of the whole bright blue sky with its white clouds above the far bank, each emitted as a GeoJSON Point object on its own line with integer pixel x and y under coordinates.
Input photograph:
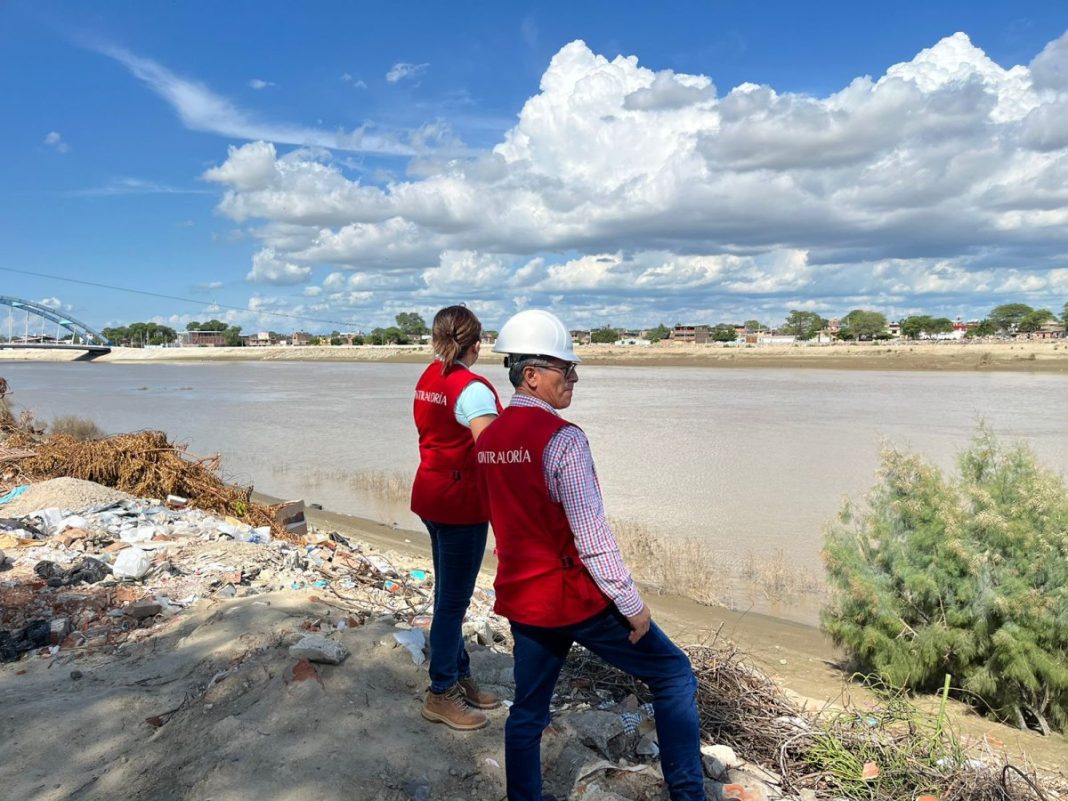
{"type": "Point", "coordinates": [327, 166]}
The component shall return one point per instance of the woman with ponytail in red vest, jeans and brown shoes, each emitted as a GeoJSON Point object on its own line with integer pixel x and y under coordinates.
{"type": "Point", "coordinates": [452, 407]}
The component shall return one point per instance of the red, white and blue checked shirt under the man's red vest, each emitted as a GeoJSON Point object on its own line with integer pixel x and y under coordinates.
{"type": "Point", "coordinates": [572, 479]}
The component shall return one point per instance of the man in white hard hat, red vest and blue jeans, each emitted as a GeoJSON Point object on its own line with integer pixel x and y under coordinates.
{"type": "Point", "coordinates": [560, 577]}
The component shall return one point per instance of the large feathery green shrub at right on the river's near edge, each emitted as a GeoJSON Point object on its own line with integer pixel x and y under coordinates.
{"type": "Point", "coordinates": [966, 576]}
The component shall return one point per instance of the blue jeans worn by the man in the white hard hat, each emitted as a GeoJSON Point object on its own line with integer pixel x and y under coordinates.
{"type": "Point", "coordinates": [655, 659]}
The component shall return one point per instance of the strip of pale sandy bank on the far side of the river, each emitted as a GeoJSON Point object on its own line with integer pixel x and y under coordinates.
{"type": "Point", "coordinates": [1027, 357]}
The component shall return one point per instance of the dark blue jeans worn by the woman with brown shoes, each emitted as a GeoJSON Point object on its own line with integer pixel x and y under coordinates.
{"type": "Point", "coordinates": [458, 554]}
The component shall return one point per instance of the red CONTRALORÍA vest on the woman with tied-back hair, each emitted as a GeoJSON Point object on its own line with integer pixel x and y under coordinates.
{"type": "Point", "coordinates": [445, 491]}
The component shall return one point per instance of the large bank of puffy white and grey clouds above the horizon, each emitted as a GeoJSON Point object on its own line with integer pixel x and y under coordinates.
{"type": "Point", "coordinates": [641, 196]}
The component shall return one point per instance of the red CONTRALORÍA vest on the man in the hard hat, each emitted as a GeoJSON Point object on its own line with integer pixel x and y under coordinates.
{"type": "Point", "coordinates": [541, 580]}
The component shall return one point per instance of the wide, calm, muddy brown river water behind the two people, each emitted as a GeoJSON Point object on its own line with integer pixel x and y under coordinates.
{"type": "Point", "coordinates": [755, 462]}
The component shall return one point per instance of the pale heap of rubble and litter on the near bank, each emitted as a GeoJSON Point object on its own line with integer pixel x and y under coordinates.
{"type": "Point", "coordinates": [120, 571]}
